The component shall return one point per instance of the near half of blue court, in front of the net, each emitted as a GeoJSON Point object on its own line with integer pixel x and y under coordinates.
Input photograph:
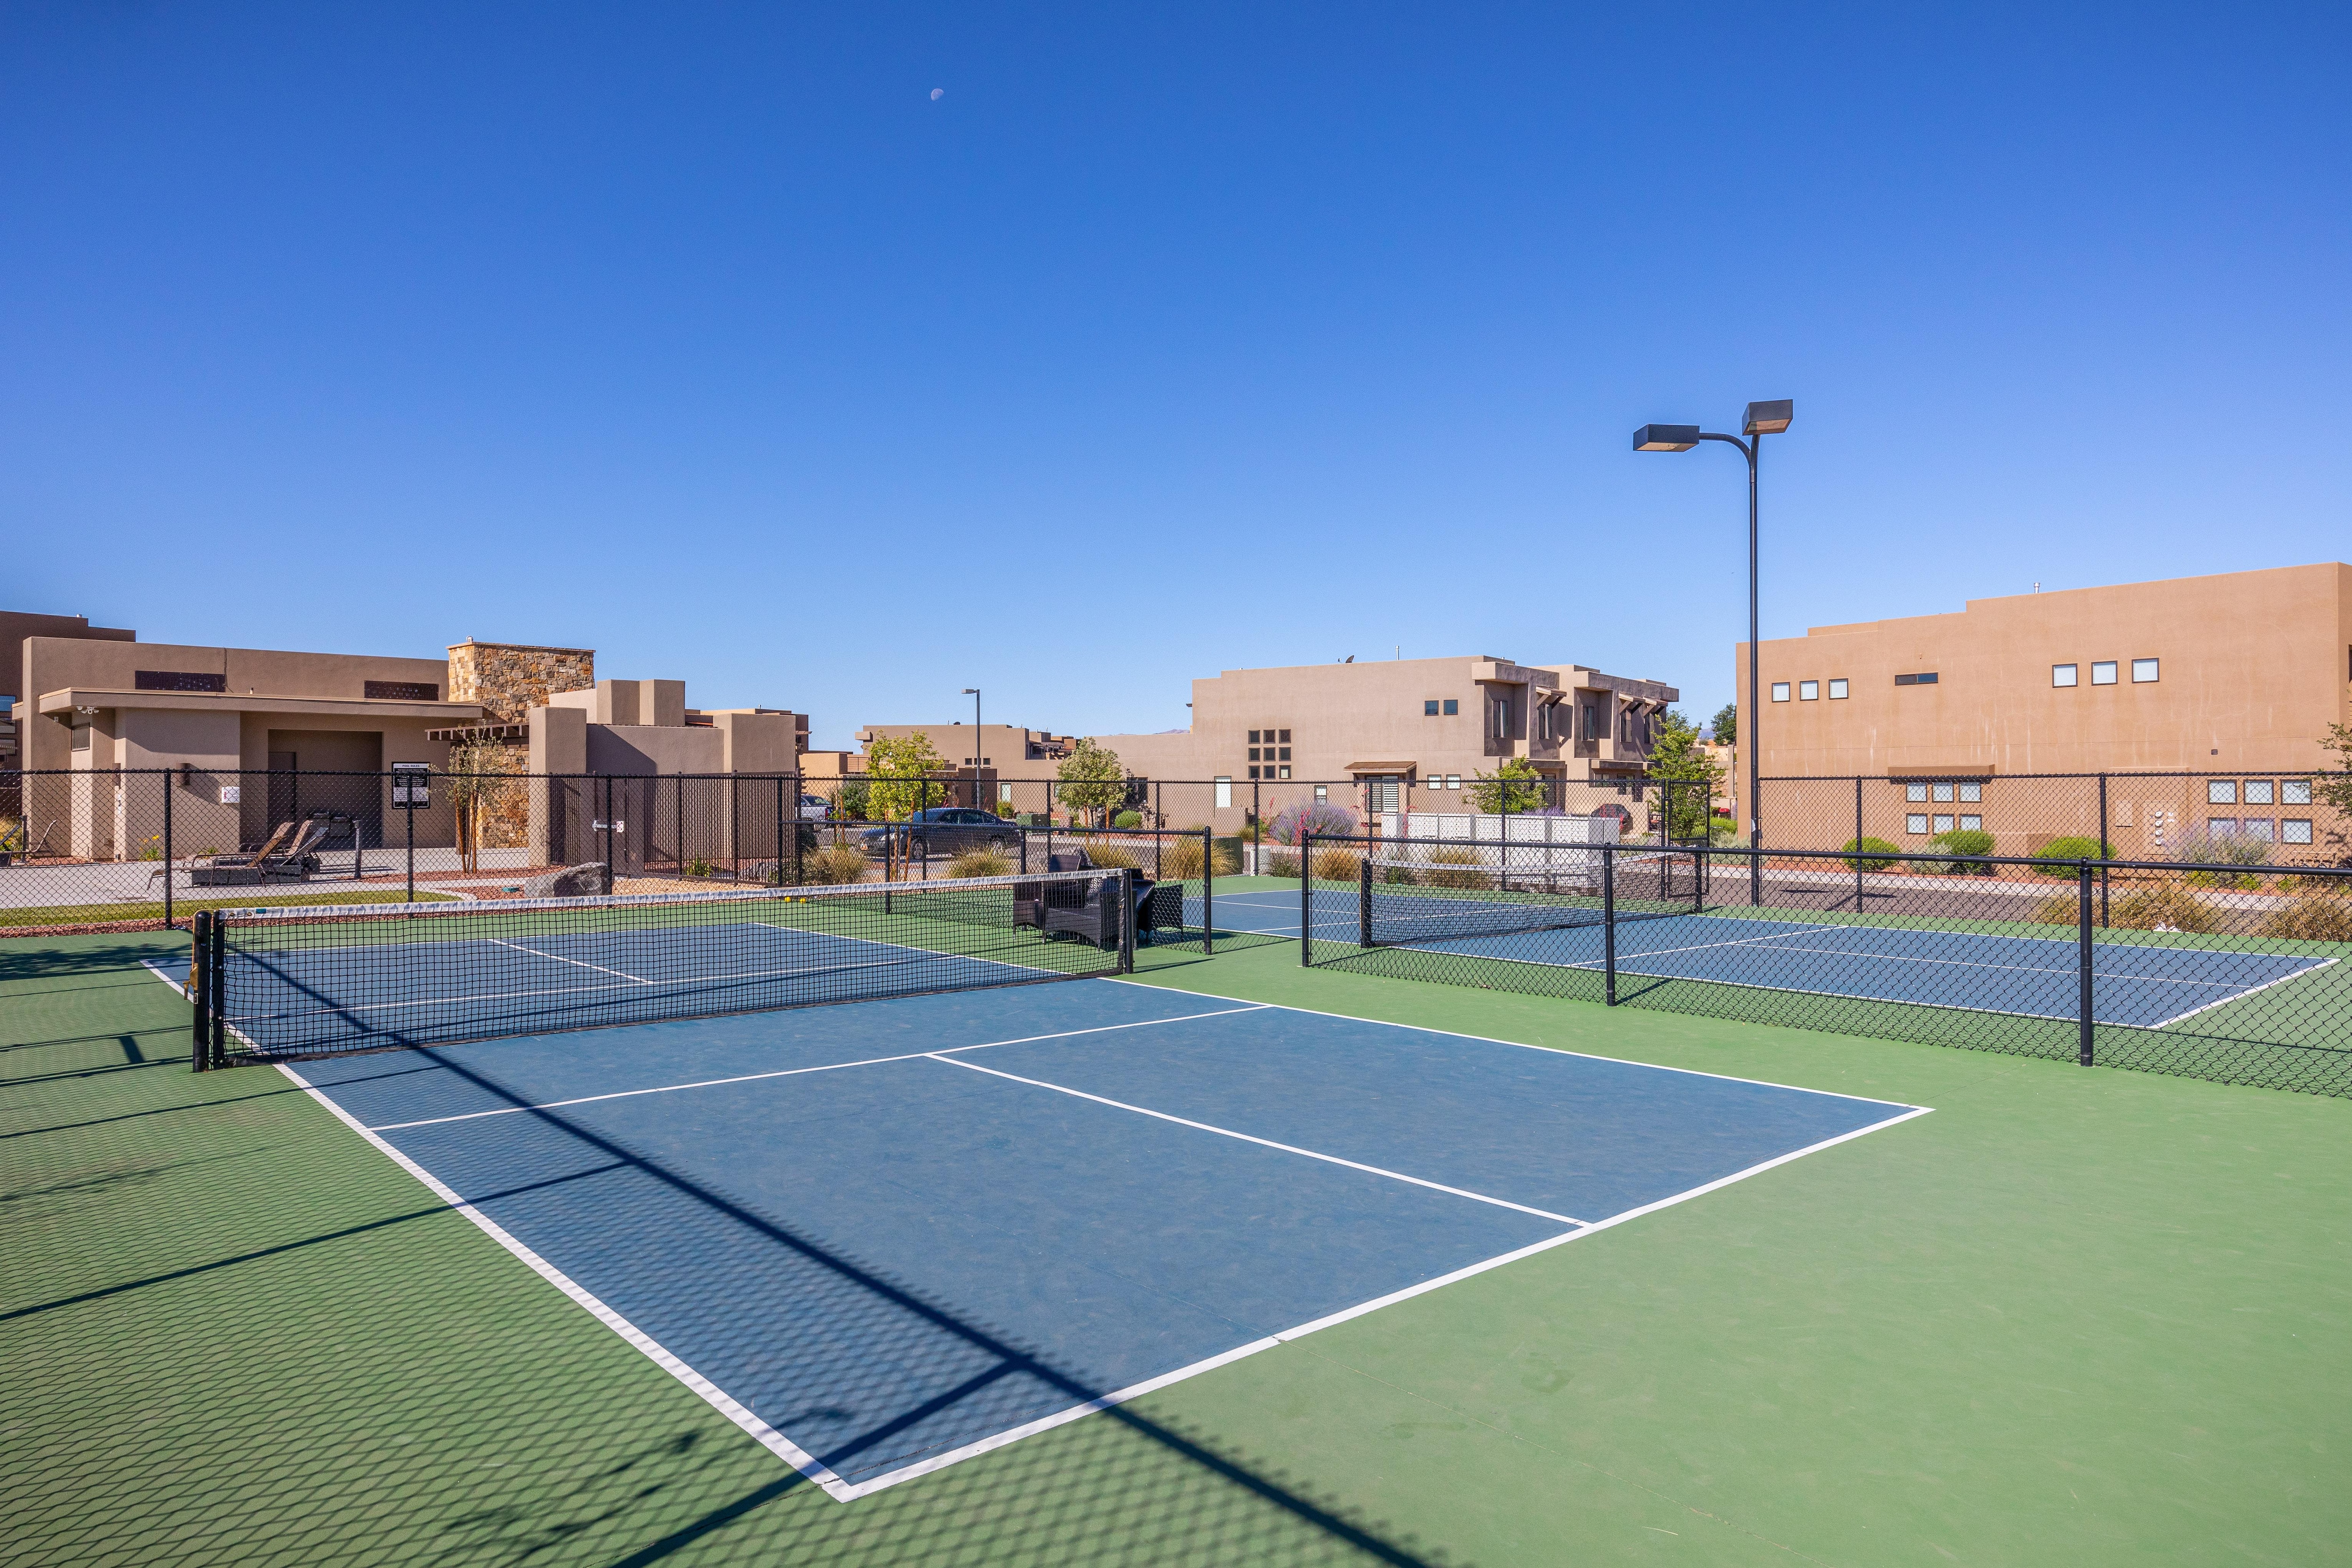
{"type": "Point", "coordinates": [890, 1235]}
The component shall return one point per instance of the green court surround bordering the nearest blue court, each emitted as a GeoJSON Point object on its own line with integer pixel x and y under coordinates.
{"type": "Point", "coordinates": [2071, 1318]}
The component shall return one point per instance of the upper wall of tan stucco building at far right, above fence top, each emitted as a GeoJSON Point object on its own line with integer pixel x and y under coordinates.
{"type": "Point", "coordinates": [2217, 674]}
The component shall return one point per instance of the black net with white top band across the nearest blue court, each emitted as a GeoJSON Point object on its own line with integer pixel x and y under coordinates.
{"type": "Point", "coordinates": [323, 981]}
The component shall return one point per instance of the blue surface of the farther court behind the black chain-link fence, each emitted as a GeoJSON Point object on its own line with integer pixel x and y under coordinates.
{"type": "Point", "coordinates": [2144, 986]}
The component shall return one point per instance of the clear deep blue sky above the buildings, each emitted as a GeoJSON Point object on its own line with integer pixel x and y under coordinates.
{"type": "Point", "coordinates": [1158, 342]}
